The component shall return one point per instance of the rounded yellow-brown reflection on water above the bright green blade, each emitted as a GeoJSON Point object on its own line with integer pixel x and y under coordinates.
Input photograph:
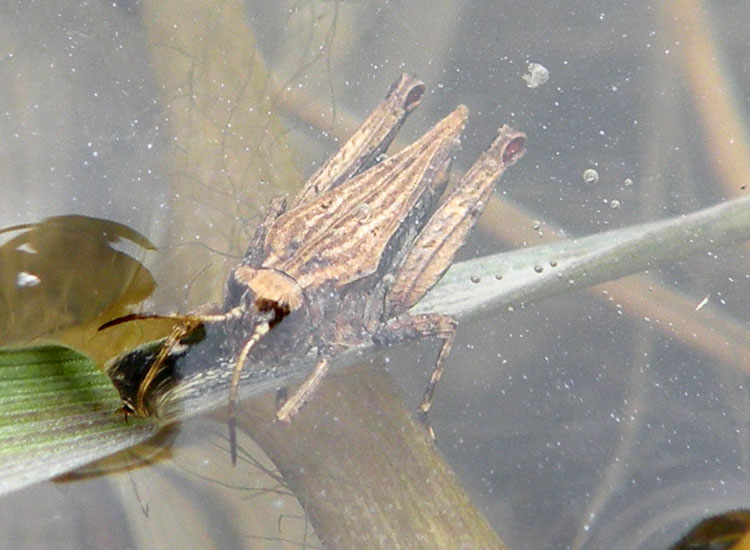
{"type": "Point", "coordinates": [65, 272]}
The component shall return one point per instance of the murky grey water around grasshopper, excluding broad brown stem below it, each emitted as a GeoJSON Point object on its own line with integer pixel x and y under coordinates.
{"type": "Point", "coordinates": [609, 418]}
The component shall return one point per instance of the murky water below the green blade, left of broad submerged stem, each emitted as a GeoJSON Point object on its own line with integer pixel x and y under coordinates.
{"type": "Point", "coordinates": [178, 492]}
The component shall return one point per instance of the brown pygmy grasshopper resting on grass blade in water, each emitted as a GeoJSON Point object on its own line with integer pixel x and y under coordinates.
{"type": "Point", "coordinates": [363, 241]}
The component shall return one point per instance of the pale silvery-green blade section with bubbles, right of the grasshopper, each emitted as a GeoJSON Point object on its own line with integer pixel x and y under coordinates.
{"type": "Point", "coordinates": [472, 287]}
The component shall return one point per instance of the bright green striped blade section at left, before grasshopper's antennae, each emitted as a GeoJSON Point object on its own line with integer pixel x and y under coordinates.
{"type": "Point", "coordinates": [57, 412]}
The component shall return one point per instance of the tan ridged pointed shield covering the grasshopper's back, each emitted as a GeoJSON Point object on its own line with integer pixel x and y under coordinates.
{"type": "Point", "coordinates": [341, 235]}
